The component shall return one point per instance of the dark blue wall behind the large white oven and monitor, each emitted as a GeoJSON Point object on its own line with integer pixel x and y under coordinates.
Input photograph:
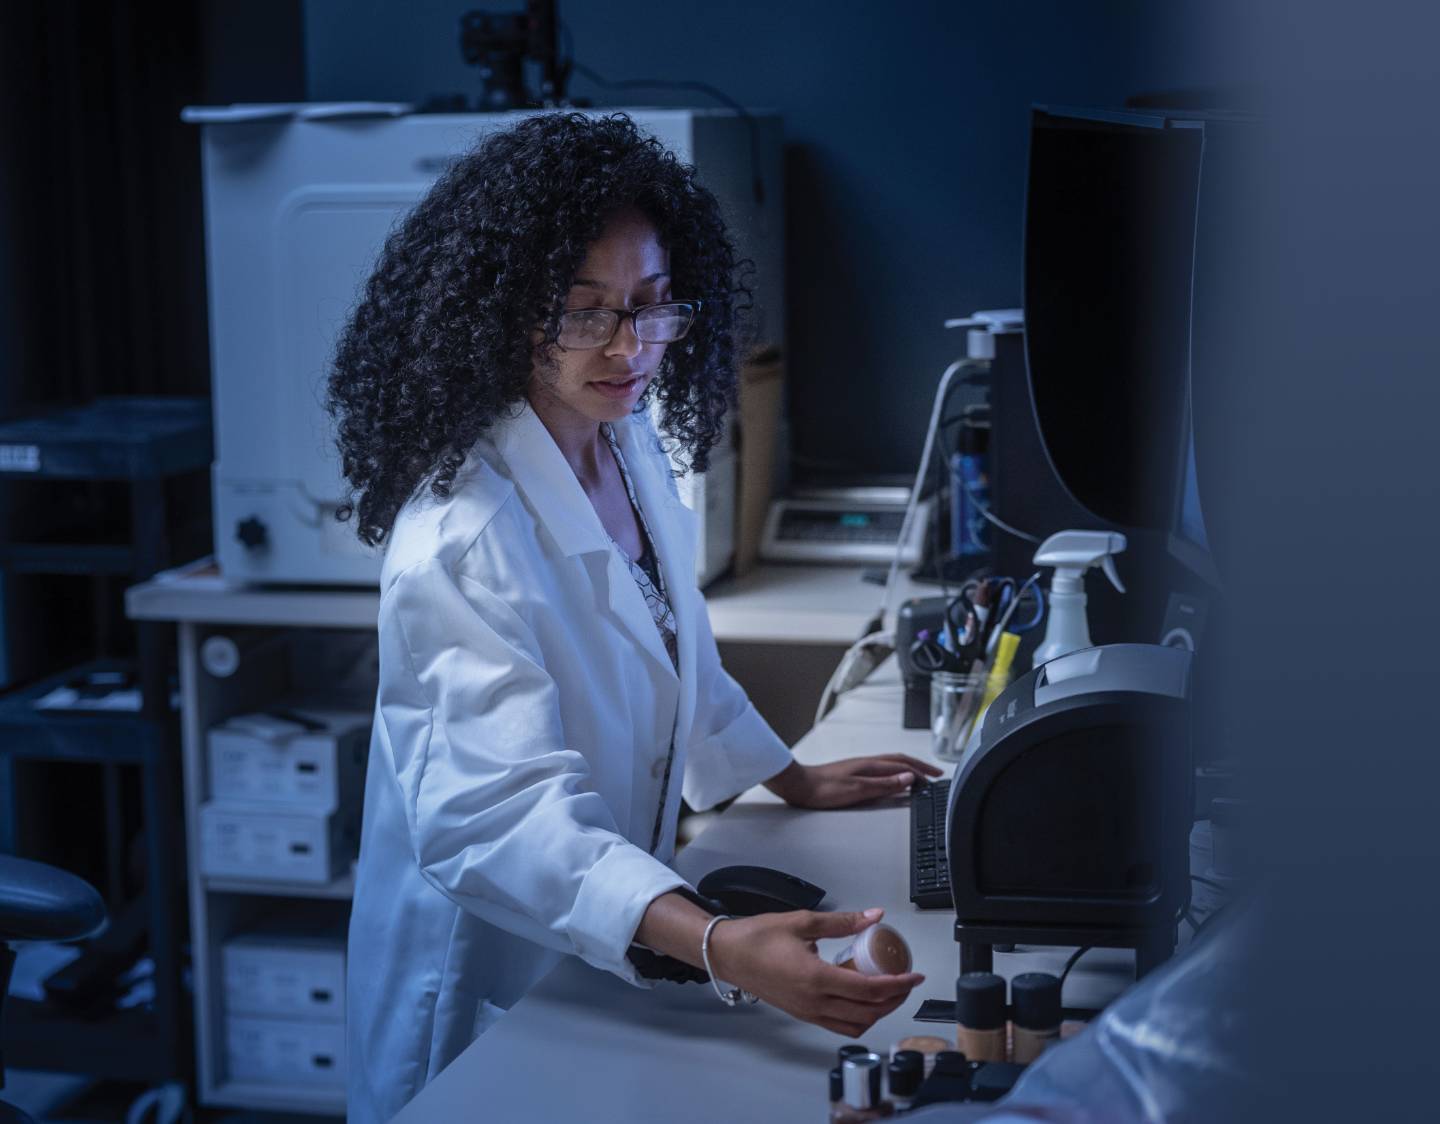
{"type": "Point", "coordinates": [906, 129]}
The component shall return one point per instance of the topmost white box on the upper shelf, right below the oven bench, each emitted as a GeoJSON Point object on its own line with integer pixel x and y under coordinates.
{"type": "Point", "coordinates": [297, 755]}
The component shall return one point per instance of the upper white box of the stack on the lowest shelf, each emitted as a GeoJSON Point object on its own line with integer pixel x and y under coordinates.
{"type": "Point", "coordinates": [287, 971]}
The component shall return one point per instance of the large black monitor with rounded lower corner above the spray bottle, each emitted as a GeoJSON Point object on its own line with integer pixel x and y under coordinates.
{"type": "Point", "coordinates": [1110, 253]}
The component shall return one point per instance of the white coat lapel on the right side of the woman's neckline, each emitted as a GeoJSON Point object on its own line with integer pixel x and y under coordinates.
{"type": "Point", "coordinates": [672, 527]}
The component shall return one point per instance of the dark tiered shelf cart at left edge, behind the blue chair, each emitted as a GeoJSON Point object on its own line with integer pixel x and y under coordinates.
{"type": "Point", "coordinates": [143, 444]}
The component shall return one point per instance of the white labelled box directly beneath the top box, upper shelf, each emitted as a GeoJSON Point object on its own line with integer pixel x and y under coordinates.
{"type": "Point", "coordinates": [277, 844]}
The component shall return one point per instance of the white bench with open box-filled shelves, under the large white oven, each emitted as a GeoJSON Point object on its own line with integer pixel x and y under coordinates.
{"type": "Point", "coordinates": [797, 607]}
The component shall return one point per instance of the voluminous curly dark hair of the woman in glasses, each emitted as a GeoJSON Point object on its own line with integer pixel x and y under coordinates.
{"type": "Point", "coordinates": [441, 343]}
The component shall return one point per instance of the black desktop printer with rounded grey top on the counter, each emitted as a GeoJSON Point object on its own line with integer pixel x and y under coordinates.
{"type": "Point", "coordinates": [1069, 821]}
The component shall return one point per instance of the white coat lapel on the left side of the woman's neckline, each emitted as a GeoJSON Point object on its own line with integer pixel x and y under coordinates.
{"type": "Point", "coordinates": [551, 489]}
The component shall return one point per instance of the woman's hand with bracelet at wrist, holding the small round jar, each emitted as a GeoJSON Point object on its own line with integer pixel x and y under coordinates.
{"type": "Point", "coordinates": [774, 956]}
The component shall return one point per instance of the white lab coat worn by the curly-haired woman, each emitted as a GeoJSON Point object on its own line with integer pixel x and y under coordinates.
{"type": "Point", "coordinates": [525, 713]}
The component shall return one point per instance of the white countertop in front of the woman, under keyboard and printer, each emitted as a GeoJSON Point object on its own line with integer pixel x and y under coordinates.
{"type": "Point", "coordinates": [633, 1051]}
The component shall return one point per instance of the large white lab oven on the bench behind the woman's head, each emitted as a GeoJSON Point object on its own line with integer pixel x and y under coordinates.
{"type": "Point", "coordinates": [299, 201]}
